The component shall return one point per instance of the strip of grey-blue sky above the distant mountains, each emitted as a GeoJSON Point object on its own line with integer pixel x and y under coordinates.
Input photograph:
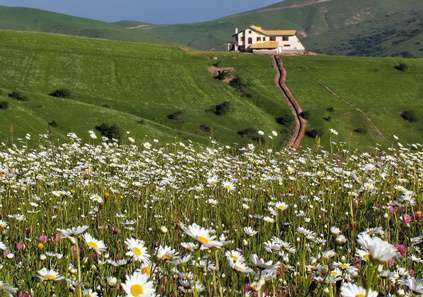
{"type": "Point", "coordinates": [154, 11]}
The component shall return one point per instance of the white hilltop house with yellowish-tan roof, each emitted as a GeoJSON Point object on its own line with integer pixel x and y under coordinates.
{"type": "Point", "coordinates": [258, 40]}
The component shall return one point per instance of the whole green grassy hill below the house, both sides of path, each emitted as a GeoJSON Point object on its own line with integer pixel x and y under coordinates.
{"type": "Point", "coordinates": [164, 92]}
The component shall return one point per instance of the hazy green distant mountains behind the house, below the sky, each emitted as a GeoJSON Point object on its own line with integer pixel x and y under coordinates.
{"type": "Point", "coordinates": [358, 27]}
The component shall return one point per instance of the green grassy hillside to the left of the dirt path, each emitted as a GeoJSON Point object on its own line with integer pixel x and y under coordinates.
{"type": "Point", "coordinates": [152, 90]}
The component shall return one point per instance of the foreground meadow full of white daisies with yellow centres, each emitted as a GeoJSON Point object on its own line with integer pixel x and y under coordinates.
{"type": "Point", "coordinates": [173, 219]}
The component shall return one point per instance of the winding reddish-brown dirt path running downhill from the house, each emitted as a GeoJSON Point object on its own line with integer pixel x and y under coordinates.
{"type": "Point", "coordinates": [300, 123]}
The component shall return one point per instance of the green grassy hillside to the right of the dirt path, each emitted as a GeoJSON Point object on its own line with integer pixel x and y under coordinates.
{"type": "Point", "coordinates": [364, 99]}
